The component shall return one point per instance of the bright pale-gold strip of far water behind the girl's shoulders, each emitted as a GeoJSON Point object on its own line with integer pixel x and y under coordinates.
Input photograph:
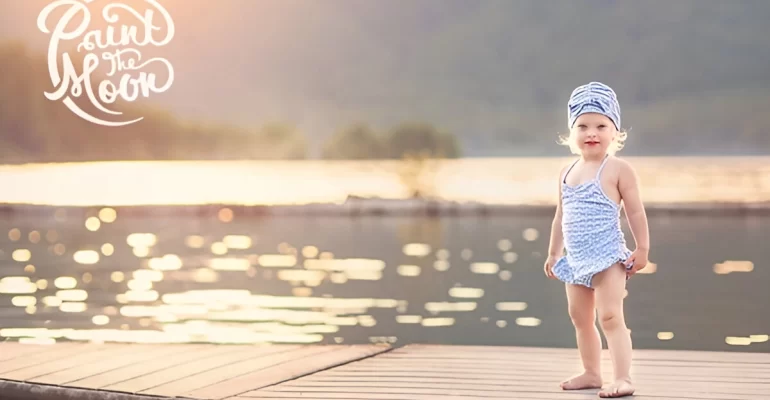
{"type": "Point", "coordinates": [464, 186]}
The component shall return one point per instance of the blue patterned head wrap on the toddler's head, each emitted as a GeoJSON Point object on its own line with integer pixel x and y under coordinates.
{"type": "Point", "coordinates": [594, 97]}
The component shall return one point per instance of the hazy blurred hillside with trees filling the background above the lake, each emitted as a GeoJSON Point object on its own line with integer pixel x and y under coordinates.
{"type": "Point", "coordinates": [693, 77]}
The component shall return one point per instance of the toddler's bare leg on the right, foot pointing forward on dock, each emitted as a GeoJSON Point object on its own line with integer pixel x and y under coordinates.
{"type": "Point", "coordinates": [610, 286]}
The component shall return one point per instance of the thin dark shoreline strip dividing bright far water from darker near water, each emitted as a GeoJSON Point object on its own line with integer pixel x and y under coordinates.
{"type": "Point", "coordinates": [368, 207]}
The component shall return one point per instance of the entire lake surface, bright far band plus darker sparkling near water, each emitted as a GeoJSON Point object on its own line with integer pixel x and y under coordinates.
{"type": "Point", "coordinates": [93, 274]}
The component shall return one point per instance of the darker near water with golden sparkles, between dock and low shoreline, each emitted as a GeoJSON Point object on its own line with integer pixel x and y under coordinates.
{"type": "Point", "coordinates": [358, 280]}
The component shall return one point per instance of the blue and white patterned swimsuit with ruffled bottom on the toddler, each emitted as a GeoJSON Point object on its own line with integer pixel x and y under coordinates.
{"type": "Point", "coordinates": [591, 229]}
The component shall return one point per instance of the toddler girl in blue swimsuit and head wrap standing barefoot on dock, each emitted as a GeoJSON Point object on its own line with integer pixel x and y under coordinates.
{"type": "Point", "coordinates": [597, 263]}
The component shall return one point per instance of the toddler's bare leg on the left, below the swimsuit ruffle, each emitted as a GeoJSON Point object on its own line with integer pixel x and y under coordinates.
{"type": "Point", "coordinates": [583, 315]}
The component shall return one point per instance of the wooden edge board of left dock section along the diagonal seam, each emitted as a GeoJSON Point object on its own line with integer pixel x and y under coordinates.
{"type": "Point", "coordinates": [288, 370]}
